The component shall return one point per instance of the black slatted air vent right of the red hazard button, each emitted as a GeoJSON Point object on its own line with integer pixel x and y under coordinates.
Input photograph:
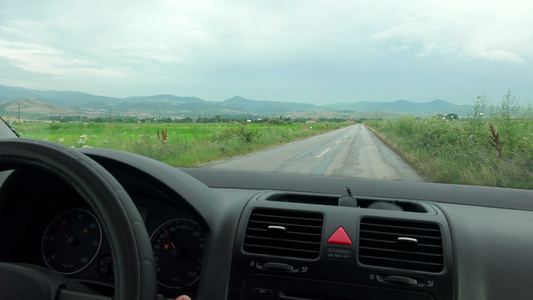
{"type": "Point", "coordinates": [401, 244]}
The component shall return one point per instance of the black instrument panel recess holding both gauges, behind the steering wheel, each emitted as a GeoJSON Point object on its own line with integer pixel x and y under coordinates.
{"type": "Point", "coordinates": [56, 229]}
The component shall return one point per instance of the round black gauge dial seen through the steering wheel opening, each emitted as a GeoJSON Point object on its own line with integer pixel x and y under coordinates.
{"type": "Point", "coordinates": [71, 241]}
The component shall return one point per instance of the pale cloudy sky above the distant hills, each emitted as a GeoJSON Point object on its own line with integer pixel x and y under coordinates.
{"type": "Point", "coordinates": [310, 51]}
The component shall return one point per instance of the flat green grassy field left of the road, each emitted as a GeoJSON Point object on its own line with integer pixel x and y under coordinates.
{"type": "Point", "coordinates": [184, 145]}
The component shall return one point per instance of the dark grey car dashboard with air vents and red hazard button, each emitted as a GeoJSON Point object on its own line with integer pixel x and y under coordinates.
{"type": "Point", "coordinates": [219, 234]}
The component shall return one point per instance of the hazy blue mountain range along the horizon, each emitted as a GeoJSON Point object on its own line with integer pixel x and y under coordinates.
{"type": "Point", "coordinates": [170, 105]}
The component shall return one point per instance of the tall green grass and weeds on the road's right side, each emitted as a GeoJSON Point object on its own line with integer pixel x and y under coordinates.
{"type": "Point", "coordinates": [493, 146]}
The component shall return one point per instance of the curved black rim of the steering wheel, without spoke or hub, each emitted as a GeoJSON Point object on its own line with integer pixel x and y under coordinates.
{"type": "Point", "coordinates": [135, 276]}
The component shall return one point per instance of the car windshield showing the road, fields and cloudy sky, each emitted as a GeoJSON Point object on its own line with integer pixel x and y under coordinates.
{"type": "Point", "coordinates": [436, 91]}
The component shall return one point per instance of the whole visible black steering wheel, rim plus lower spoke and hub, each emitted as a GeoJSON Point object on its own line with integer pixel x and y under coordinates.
{"type": "Point", "coordinates": [135, 276]}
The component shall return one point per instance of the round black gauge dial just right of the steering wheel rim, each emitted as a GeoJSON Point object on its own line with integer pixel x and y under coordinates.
{"type": "Point", "coordinates": [179, 248]}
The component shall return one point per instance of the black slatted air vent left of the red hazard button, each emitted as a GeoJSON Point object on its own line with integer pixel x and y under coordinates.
{"type": "Point", "coordinates": [284, 233]}
